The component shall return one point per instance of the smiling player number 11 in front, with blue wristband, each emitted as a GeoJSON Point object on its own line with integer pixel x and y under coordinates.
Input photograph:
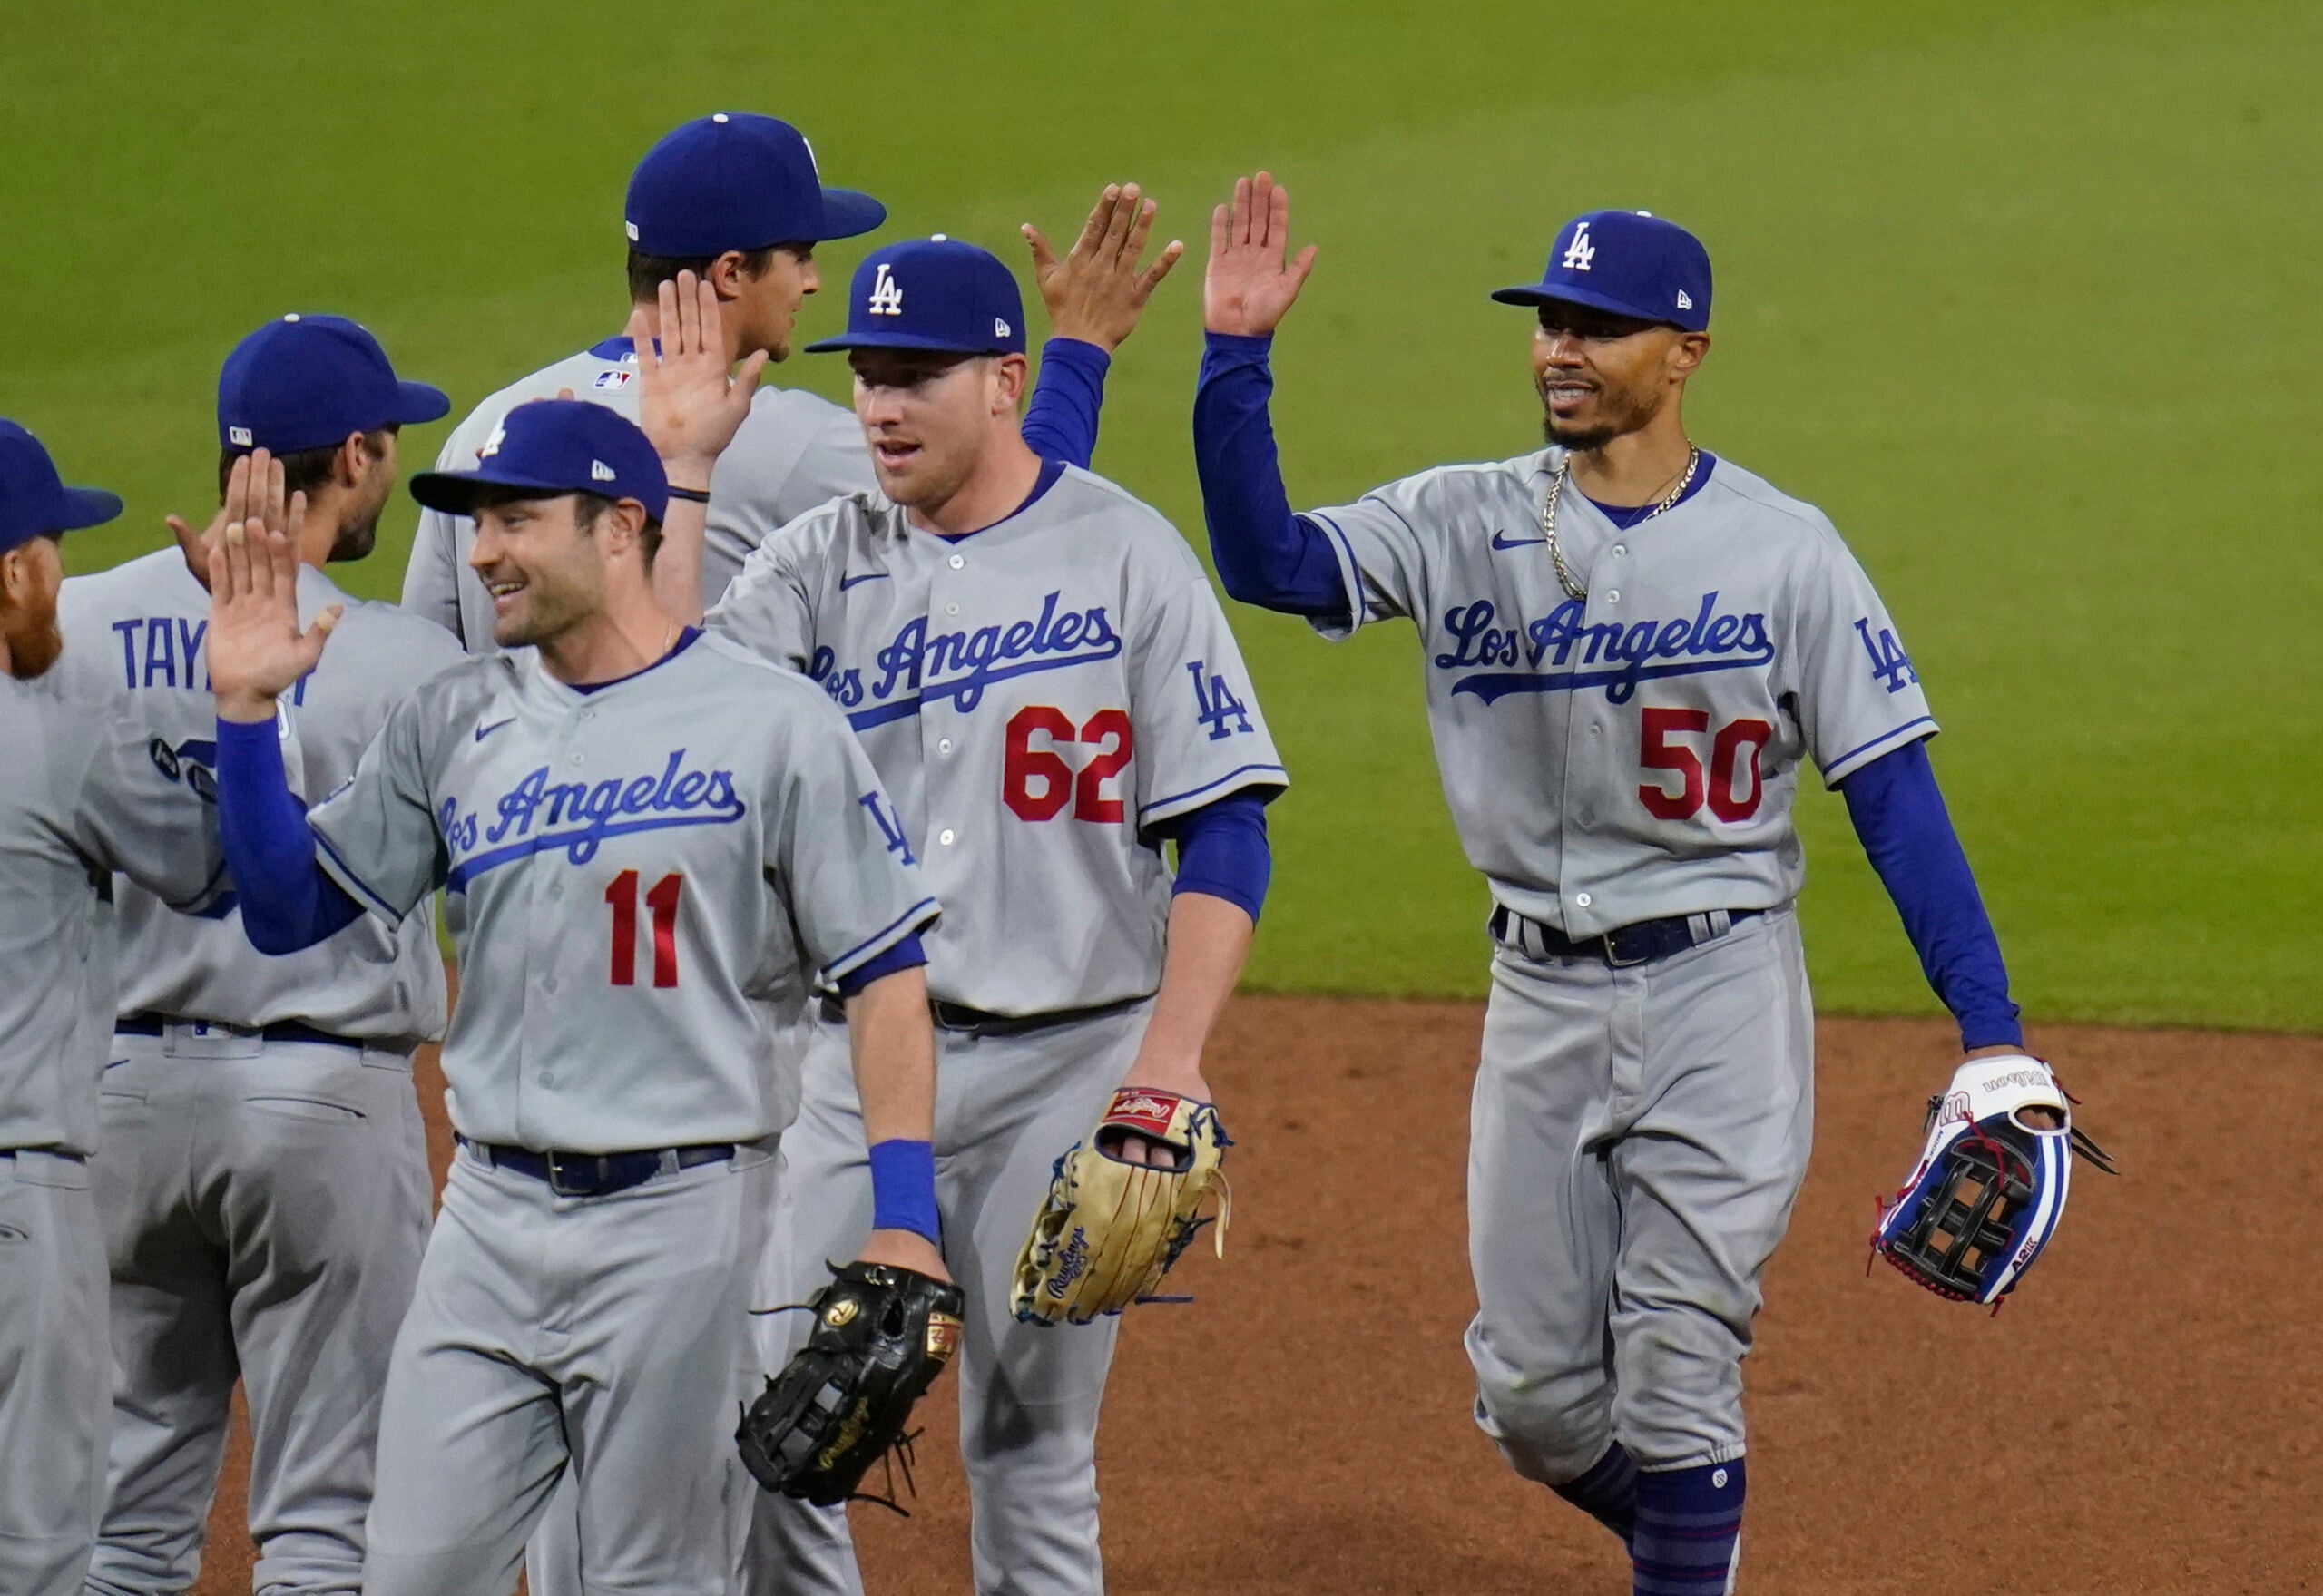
{"type": "Point", "coordinates": [649, 842]}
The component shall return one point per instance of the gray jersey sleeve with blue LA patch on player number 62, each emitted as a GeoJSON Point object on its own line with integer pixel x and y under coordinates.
{"type": "Point", "coordinates": [1195, 719]}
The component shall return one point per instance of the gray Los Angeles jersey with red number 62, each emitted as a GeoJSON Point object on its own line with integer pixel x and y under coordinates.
{"type": "Point", "coordinates": [1040, 698]}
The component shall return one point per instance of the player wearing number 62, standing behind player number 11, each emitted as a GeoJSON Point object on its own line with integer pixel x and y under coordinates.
{"type": "Point", "coordinates": [1049, 689]}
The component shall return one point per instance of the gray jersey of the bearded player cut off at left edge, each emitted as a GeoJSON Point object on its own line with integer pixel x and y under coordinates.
{"type": "Point", "coordinates": [80, 798]}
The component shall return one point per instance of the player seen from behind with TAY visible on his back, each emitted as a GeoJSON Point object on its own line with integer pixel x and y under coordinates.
{"type": "Point", "coordinates": [266, 1174]}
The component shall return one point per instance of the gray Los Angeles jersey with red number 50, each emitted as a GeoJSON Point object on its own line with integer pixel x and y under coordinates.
{"type": "Point", "coordinates": [1632, 756]}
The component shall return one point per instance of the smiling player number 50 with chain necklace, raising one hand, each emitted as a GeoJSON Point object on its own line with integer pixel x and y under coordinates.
{"type": "Point", "coordinates": [1630, 647]}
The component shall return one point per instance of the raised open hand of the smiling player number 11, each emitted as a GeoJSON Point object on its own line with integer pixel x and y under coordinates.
{"type": "Point", "coordinates": [254, 642]}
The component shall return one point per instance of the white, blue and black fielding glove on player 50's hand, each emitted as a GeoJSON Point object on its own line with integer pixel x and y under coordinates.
{"type": "Point", "coordinates": [1990, 1186]}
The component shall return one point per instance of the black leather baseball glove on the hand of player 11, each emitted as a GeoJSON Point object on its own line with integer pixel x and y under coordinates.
{"type": "Point", "coordinates": [842, 1404]}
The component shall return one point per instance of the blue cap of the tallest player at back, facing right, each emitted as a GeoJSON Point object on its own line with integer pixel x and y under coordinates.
{"type": "Point", "coordinates": [738, 182]}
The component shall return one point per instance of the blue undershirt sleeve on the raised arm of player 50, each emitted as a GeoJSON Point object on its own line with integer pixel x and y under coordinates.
{"type": "Point", "coordinates": [1265, 554]}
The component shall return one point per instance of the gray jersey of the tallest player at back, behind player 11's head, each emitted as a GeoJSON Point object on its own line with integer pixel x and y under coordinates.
{"type": "Point", "coordinates": [791, 454]}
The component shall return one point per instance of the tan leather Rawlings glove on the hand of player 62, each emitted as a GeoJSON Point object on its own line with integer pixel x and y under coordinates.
{"type": "Point", "coordinates": [1109, 1228]}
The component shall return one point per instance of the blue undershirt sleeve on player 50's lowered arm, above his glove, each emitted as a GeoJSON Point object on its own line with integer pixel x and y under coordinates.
{"type": "Point", "coordinates": [1908, 835]}
